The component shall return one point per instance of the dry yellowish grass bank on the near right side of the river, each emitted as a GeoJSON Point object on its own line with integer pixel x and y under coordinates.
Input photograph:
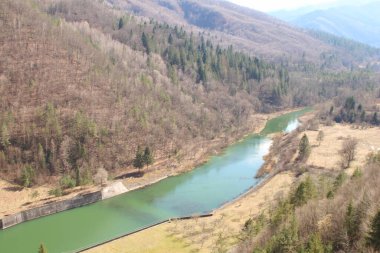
{"type": "Point", "coordinates": [203, 235]}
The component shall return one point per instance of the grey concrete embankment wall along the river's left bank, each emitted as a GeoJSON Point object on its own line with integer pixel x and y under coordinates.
{"type": "Point", "coordinates": [51, 208]}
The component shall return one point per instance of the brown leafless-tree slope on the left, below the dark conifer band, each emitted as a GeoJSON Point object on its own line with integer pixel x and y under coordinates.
{"type": "Point", "coordinates": [73, 99]}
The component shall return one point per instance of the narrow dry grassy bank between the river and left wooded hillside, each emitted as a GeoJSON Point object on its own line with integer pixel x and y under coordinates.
{"type": "Point", "coordinates": [16, 199]}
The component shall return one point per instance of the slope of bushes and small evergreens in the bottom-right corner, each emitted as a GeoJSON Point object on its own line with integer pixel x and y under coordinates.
{"type": "Point", "coordinates": [316, 219]}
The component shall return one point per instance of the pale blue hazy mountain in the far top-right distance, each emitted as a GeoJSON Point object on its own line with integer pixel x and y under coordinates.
{"type": "Point", "coordinates": [360, 23]}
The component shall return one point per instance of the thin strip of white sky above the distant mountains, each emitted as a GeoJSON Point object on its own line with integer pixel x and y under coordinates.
{"type": "Point", "coordinates": [274, 5]}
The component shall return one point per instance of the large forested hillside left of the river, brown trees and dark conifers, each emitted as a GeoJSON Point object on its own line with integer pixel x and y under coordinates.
{"type": "Point", "coordinates": [83, 84]}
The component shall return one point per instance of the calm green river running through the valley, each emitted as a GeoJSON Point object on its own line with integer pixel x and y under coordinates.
{"type": "Point", "coordinates": [222, 179]}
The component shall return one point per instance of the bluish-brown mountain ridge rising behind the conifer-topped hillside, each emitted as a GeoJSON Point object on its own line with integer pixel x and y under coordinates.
{"type": "Point", "coordinates": [247, 29]}
